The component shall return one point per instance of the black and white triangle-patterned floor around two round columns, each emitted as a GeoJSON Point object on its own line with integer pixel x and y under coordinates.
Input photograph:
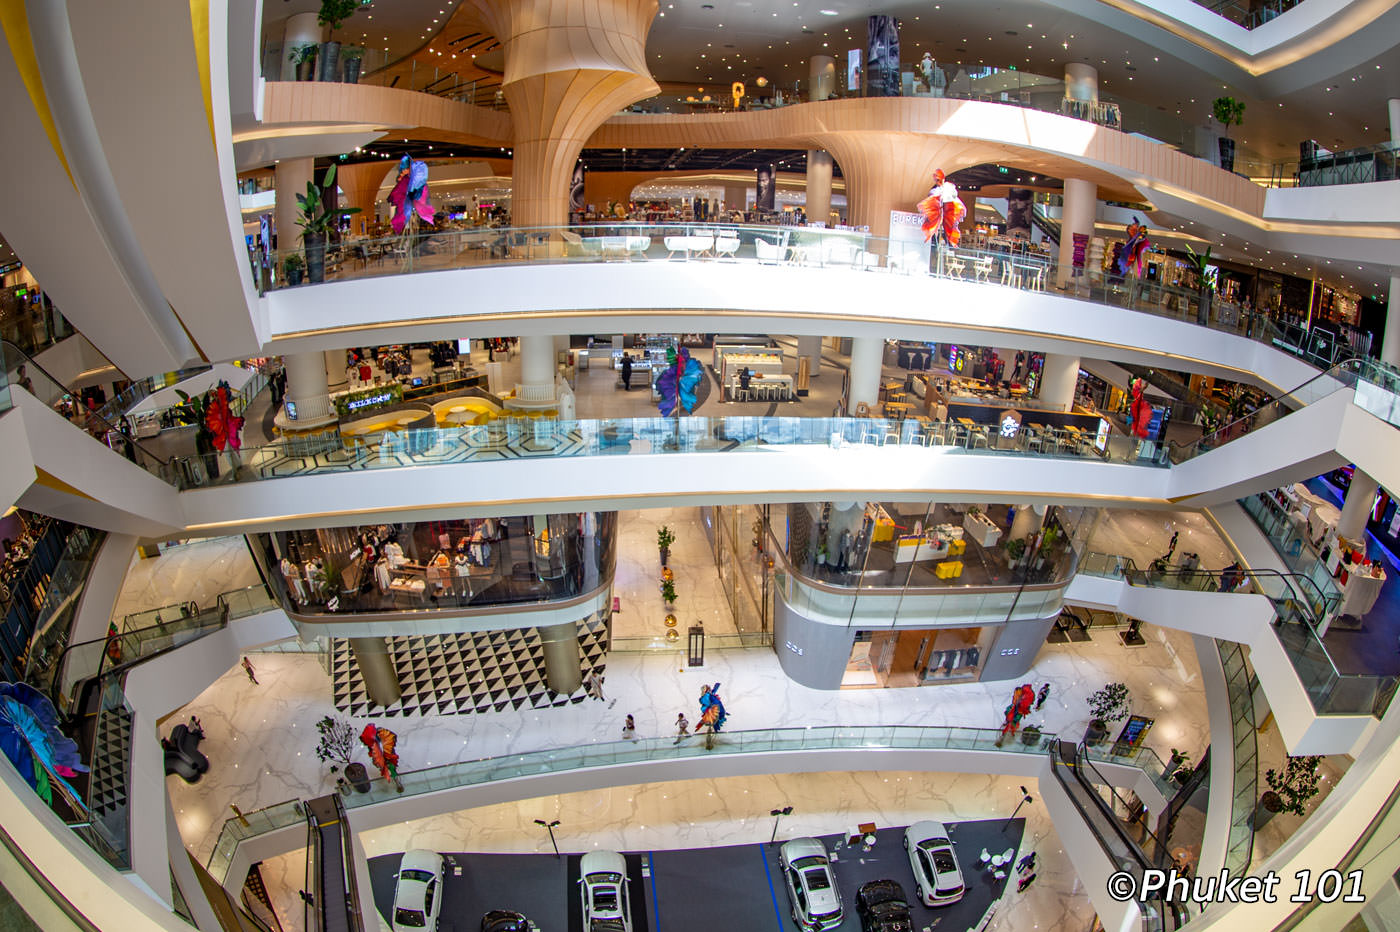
{"type": "Point", "coordinates": [460, 674]}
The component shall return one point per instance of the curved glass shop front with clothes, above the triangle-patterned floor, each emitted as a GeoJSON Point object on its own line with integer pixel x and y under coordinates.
{"type": "Point", "coordinates": [439, 565]}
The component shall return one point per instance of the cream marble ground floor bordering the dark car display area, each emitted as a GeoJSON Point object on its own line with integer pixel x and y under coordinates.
{"type": "Point", "coordinates": [734, 811]}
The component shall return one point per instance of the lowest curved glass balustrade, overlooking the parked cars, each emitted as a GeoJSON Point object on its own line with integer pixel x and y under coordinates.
{"type": "Point", "coordinates": [472, 773]}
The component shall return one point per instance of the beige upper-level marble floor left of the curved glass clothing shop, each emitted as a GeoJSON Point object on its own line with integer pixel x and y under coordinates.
{"type": "Point", "coordinates": [195, 572]}
